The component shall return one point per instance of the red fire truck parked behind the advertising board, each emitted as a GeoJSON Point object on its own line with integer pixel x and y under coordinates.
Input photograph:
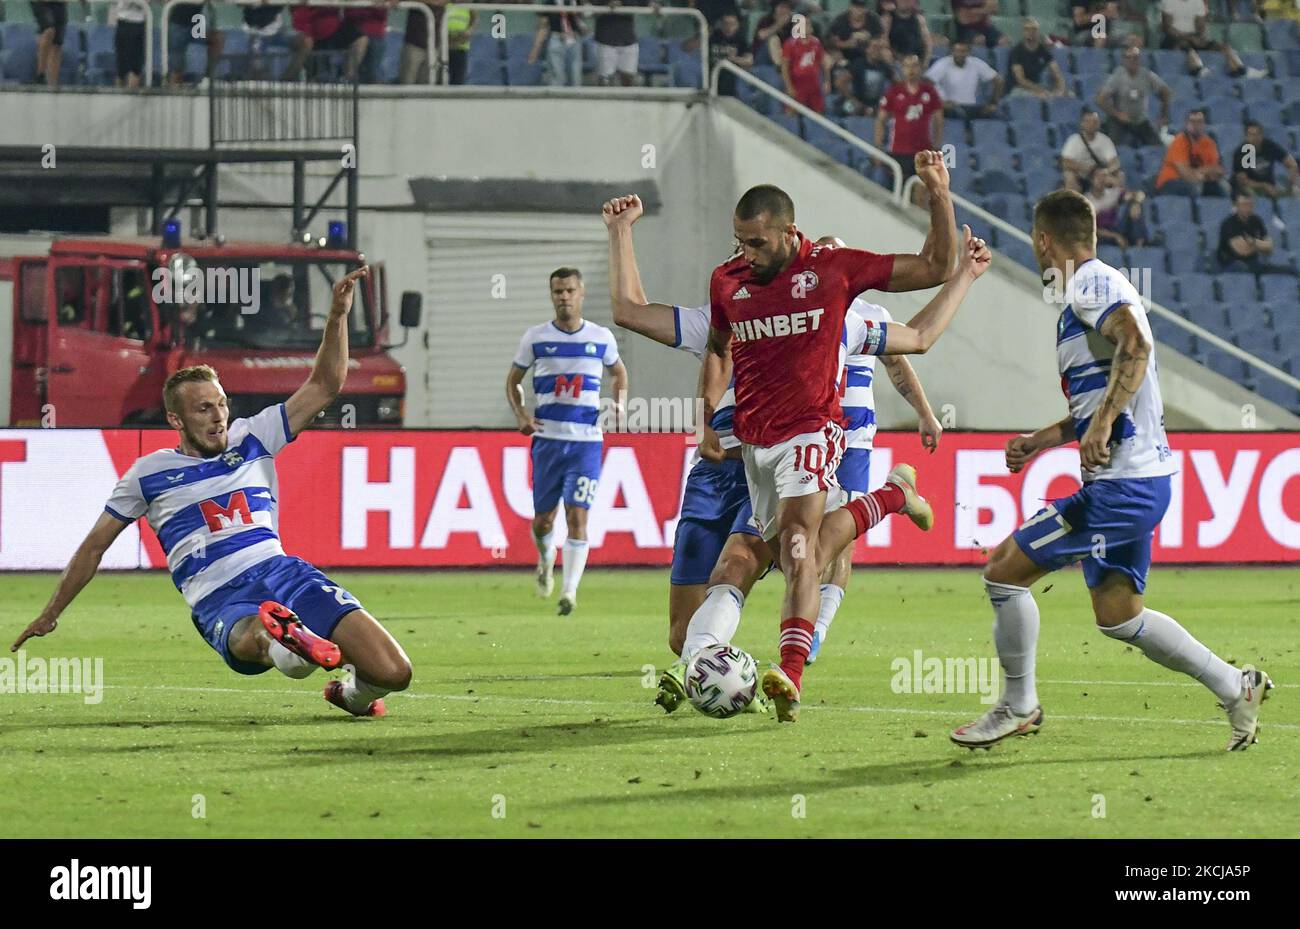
{"type": "Point", "coordinates": [101, 323]}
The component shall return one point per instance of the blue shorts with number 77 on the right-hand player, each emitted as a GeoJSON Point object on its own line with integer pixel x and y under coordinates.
{"type": "Point", "coordinates": [1108, 524]}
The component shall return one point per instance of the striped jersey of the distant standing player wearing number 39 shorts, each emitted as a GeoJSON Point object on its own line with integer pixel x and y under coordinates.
{"type": "Point", "coordinates": [567, 370]}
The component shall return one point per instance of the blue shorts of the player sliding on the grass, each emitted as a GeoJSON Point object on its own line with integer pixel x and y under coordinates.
{"type": "Point", "coordinates": [319, 602]}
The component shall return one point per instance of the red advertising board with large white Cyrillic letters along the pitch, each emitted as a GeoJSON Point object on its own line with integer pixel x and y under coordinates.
{"type": "Point", "coordinates": [421, 498]}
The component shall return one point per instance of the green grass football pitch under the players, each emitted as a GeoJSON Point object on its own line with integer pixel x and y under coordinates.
{"type": "Point", "coordinates": [525, 724]}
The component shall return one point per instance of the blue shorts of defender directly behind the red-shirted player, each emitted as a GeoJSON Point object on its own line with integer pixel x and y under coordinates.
{"type": "Point", "coordinates": [714, 506]}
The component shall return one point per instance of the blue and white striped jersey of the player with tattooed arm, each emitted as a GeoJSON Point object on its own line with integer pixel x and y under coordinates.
{"type": "Point", "coordinates": [1139, 446]}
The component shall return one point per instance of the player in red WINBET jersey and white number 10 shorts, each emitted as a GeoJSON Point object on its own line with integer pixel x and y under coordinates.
{"type": "Point", "coordinates": [781, 309]}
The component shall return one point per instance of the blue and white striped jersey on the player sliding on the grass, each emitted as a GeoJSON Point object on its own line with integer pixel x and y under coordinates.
{"type": "Point", "coordinates": [216, 518]}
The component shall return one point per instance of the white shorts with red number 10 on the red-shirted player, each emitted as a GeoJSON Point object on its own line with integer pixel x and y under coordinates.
{"type": "Point", "coordinates": [798, 467]}
